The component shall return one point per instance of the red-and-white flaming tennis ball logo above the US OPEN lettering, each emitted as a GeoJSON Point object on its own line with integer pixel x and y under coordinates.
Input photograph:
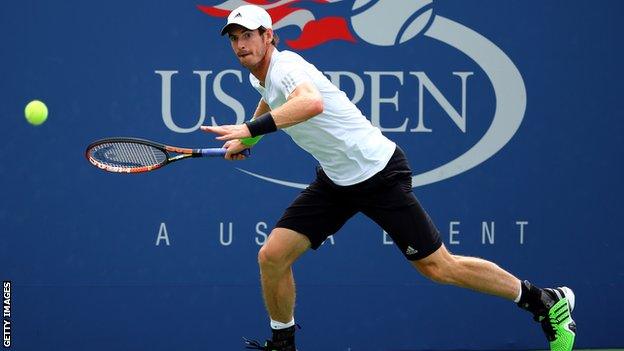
{"type": "Point", "coordinates": [378, 22]}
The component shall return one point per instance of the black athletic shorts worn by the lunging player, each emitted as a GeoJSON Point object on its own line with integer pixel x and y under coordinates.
{"type": "Point", "coordinates": [386, 198]}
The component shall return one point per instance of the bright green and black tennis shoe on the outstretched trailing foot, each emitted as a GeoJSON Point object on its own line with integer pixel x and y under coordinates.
{"type": "Point", "coordinates": [558, 324]}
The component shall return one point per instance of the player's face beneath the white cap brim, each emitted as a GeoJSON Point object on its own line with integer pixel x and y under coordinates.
{"type": "Point", "coordinates": [248, 45]}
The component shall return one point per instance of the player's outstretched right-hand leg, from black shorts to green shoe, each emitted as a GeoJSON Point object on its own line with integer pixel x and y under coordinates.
{"type": "Point", "coordinates": [390, 202]}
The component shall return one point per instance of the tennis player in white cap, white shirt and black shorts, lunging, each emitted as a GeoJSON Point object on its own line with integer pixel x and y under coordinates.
{"type": "Point", "coordinates": [360, 171]}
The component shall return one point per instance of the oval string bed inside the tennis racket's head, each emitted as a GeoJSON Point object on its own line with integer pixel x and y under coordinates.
{"type": "Point", "coordinates": [128, 155]}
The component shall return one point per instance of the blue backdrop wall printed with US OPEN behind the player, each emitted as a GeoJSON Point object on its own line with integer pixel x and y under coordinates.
{"type": "Point", "coordinates": [167, 260]}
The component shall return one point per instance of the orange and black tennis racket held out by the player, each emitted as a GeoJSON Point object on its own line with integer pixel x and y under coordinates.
{"type": "Point", "coordinates": [134, 155]}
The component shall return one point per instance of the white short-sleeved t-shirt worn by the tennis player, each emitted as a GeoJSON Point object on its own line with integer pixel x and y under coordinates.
{"type": "Point", "coordinates": [348, 147]}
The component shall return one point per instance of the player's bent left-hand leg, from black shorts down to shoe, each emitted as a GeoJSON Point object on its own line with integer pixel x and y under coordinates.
{"type": "Point", "coordinates": [320, 210]}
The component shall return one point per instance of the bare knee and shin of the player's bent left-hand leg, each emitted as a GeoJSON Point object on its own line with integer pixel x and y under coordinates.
{"type": "Point", "coordinates": [282, 249]}
